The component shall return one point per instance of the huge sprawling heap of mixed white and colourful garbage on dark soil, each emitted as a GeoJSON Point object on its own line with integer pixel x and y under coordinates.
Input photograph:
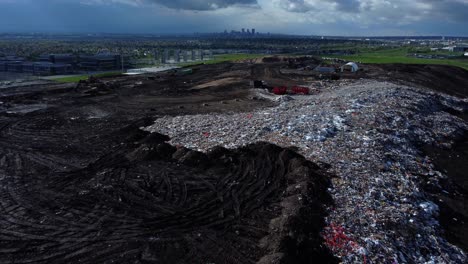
{"type": "Point", "coordinates": [368, 132]}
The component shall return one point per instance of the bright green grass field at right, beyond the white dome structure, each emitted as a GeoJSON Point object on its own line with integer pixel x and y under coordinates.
{"type": "Point", "coordinates": [399, 55]}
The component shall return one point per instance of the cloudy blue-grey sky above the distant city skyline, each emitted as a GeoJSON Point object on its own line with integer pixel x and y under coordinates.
{"type": "Point", "coordinates": [309, 17]}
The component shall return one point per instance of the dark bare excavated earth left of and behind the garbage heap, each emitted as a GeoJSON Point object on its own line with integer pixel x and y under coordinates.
{"type": "Point", "coordinates": [80, 182]}
